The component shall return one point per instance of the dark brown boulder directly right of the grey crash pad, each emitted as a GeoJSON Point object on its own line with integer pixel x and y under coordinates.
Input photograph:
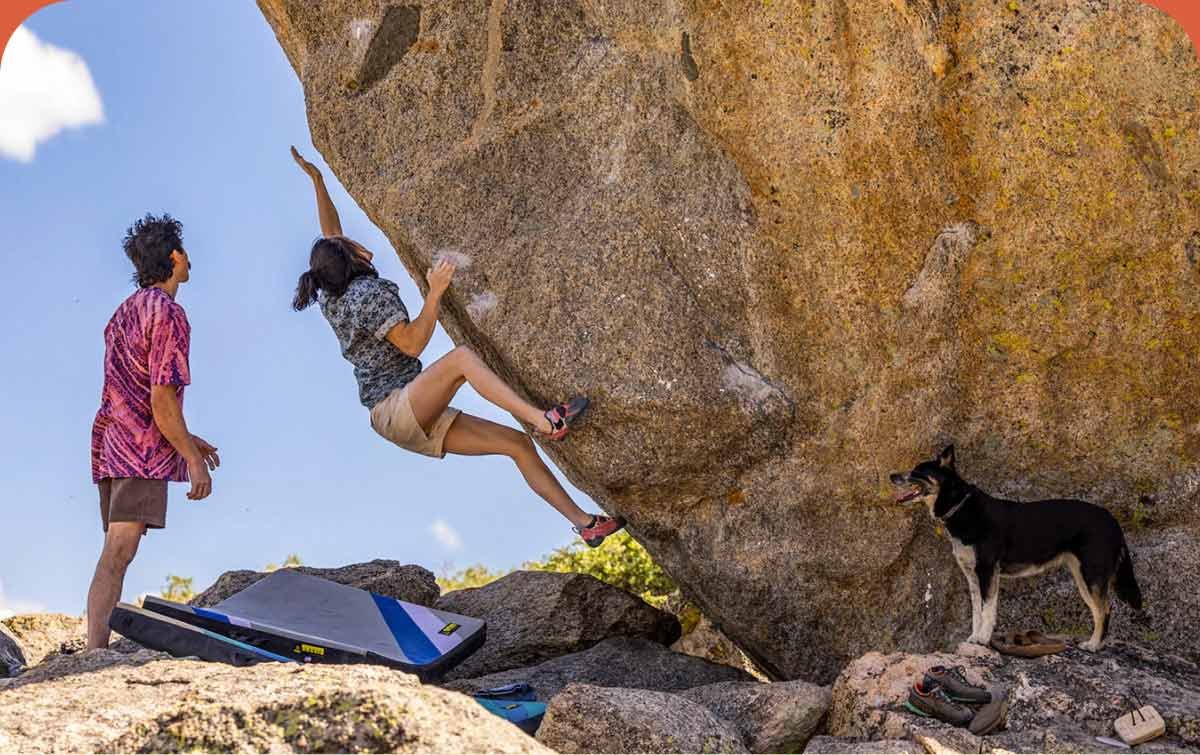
{"type": "Point", "coordinates": [535, 616]}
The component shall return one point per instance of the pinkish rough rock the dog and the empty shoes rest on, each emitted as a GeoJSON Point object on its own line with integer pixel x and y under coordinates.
{"type": "Point", "coordinates": [1059, 704]}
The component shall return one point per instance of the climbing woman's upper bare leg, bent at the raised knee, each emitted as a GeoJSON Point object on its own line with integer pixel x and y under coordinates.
{"type": "Point", "coordinates": [431, 392]}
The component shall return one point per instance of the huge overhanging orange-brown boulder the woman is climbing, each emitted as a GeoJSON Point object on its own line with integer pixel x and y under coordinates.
{"type": "Point", "coordinates": [790, 248]}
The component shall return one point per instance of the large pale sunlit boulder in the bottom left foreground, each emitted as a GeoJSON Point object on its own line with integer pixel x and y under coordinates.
{"type": "Point", "coordinates": [146, 703]}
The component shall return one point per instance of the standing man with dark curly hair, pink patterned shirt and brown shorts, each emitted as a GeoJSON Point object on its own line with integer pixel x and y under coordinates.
{"type": "Point", "coordinates": [140, 441]}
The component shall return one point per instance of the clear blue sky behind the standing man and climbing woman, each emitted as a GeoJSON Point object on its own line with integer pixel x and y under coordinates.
{"type": "Point", "coordinates": [199, 110]}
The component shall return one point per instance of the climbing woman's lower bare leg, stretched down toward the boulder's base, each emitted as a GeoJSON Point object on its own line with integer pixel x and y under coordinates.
{"type": "Point", "coordinates": [473, 436]}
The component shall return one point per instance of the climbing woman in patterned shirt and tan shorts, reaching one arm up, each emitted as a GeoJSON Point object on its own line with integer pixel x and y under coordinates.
{"type": "Point", "coordinates": [411, 406]}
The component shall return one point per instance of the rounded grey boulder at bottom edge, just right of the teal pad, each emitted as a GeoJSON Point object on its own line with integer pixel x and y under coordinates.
{"type": "Point", "coordinates": [605, 720]}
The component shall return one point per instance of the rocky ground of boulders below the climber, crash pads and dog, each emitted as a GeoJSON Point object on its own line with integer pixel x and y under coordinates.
{"type": "Point", "coordinates": [604, 667]}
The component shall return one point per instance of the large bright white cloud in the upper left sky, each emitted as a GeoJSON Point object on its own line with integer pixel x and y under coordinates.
{"type": "Point", "coordinates": [44, 89]}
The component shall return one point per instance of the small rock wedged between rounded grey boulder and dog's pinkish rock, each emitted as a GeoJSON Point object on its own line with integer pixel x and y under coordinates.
{"type": "Point", "coordinates": [770, 718]}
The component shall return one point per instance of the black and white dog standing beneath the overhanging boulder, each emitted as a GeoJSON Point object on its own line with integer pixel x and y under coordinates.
{"type": "Point", "coordinates": [995, 538]}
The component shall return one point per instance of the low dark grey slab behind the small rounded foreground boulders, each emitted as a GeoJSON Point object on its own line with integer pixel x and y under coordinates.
{"type": "Point", "coordinates": [634, 664]}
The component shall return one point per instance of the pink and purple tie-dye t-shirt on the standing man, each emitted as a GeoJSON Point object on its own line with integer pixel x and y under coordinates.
{"type": "Point", "coordinates": [146, 344]}
